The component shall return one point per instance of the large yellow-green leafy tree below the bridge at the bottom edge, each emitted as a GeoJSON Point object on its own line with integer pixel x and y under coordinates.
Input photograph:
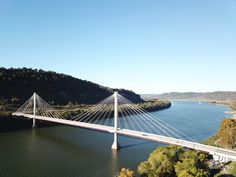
{"type": "Point", "coordinates": [174, 161]}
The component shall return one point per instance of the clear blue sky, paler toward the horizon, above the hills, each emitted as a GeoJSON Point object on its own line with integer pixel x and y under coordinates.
{"type": "Point", "coordinates": [149, 46]}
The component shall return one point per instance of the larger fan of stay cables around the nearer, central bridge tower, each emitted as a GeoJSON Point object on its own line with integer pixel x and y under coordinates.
{"type": "Point", "coordinates": [131, 117]}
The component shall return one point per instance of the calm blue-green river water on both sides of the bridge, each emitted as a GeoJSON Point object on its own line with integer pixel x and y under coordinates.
{"type": "Point", "coordinates": [63, 151]}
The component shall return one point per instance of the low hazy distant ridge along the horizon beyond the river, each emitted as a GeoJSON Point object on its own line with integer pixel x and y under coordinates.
{"type": "Point", "coordinates": [218, 95]}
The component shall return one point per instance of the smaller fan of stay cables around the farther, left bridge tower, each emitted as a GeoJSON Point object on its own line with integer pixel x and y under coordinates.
{"type": "Point", "coordinates": [42, 108]}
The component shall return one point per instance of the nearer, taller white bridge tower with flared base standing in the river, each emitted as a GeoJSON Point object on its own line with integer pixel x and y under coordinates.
{"type": "Point", "coordinates": [115, 144]}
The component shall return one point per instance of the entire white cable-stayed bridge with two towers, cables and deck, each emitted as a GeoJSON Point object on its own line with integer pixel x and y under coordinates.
{"type": "Point", "coordinates": [119, 116]}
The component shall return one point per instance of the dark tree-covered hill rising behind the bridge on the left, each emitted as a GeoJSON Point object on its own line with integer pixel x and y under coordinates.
{"type": "Point", "coordinates": [16, 85]}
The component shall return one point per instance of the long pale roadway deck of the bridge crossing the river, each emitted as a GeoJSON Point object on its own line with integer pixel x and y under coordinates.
{"type": "Point", "coordinates": [229, 154]}
